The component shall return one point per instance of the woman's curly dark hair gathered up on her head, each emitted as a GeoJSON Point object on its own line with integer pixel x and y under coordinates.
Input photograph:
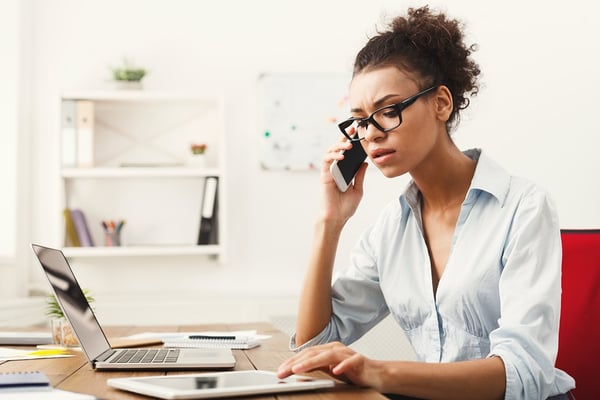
{"type": "Point", "coordinates": [430, 45]}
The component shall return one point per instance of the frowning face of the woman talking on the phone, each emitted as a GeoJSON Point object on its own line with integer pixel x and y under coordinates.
{"type": "Point", "coordinates": [404, 148]}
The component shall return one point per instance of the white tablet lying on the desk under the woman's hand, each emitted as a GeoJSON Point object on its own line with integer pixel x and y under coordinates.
{"type": "Point", "coordinates": [217, 384]}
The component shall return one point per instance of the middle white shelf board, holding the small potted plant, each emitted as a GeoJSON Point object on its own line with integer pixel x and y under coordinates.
{"type": "Point", "coordinates": [139, 172]}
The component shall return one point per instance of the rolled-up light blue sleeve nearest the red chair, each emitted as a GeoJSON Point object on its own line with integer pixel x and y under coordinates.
{"type": "Point", "coordinates": [527, 335]}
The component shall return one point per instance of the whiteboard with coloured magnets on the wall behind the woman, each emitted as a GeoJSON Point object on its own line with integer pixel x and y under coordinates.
{"type": "Point", "coordinates": [299, 116]}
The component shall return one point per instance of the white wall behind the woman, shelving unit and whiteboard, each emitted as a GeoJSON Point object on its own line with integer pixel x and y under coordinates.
{"type": "Point", "coordinates": [535, 113]}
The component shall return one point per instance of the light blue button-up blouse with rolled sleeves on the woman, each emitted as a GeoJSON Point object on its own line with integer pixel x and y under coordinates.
{"type": "Point", "coordinates": [499, 293]}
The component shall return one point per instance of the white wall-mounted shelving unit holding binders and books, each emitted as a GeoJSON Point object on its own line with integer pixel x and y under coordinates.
{"type": "Point", "coordinates": [142, 172]}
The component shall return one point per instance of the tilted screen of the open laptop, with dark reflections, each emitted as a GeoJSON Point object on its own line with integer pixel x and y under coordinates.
{"type": "Point", "coordinates": [72, 301]}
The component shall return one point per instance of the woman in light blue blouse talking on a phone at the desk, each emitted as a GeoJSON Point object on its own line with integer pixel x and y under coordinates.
{"type": "Point", "coordinates": [467, 260]}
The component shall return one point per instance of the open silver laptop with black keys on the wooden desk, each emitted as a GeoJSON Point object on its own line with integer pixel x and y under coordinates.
{"type": "Point", "coordinates": [93, 341]}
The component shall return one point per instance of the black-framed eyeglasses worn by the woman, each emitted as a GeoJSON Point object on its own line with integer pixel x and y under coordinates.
{"type": "Point", "coordinates": [385, 118]}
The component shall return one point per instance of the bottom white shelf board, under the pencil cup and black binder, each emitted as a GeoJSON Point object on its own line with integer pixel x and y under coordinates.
{"type": "Point", "coordinates": [131, 251]}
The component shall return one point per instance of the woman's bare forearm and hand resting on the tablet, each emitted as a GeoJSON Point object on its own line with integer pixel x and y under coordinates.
{"type": "Point", "coordinates": [475, 379]}
